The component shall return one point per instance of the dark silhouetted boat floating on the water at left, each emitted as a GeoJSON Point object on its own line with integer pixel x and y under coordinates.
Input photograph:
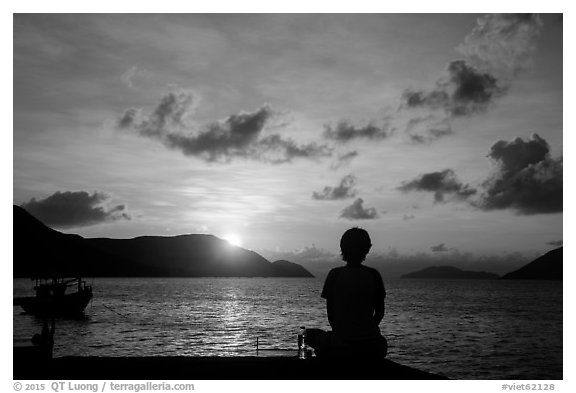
{"type": "Point", "coordinates": [53, 298]}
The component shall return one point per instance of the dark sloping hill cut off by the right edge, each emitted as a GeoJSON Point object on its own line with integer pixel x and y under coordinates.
{"type": "Point", "coordinates": [546, 267]}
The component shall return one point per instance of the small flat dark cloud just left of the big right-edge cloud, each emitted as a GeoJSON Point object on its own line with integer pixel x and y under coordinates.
{"type": "Point", "coordinates": [443, 184]}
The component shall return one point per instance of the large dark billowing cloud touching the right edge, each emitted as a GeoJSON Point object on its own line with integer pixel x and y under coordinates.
{"type": "Point", "coordinates": [527, 179]}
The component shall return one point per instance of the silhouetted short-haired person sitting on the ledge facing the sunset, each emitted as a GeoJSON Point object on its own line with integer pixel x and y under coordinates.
{"type": "Point", "coordinates": [354, 296]}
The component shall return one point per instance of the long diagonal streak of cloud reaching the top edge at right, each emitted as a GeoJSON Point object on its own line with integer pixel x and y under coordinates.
{"type": "Point", "coordinates": [498, 48]}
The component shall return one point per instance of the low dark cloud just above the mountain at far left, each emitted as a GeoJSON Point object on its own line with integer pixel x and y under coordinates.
{"type": "Point", "coordinates": [75, 209]}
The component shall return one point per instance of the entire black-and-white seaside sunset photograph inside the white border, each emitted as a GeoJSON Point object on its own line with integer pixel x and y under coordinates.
{"type": "Point", "coordinates": [288, 196]}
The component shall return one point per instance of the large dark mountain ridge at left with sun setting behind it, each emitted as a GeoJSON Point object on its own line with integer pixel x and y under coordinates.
{"type": "Point", "coordinates": [40, 250]}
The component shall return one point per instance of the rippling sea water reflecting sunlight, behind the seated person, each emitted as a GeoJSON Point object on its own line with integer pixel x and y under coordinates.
{"type": "Point", "coordinates": [463, 329]}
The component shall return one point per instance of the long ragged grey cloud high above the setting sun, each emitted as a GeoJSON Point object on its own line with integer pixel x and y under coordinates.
{"type": "Point", "coordinates": [238, 136]}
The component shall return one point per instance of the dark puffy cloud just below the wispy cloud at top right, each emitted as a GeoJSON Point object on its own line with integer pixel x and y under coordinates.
{"type": "Point", "coordinates": [465, 91]}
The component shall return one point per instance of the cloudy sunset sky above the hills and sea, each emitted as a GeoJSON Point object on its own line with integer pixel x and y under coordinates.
{"type": "Point", "coordinates": [441, 134]}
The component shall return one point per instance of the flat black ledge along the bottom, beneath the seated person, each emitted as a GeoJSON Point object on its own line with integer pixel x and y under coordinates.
{"type": "Point", "coordinates": [213, 368]}
